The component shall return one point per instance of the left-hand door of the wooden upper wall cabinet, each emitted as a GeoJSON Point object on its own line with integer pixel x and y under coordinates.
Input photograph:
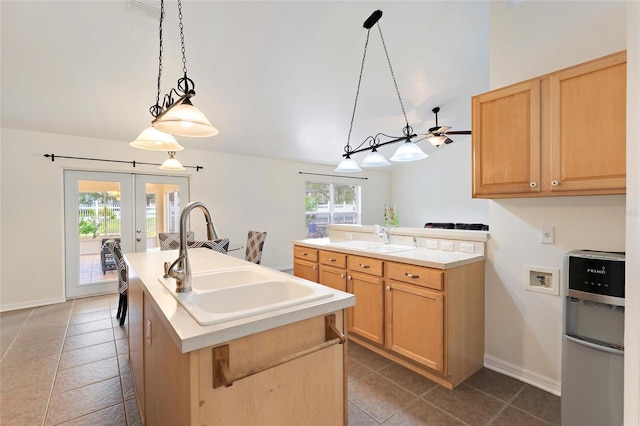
{"type": "Point", "coordinates": [506, 140]}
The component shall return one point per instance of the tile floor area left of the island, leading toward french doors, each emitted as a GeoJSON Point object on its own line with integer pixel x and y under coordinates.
{"type": "Point", "coordinates": [66, 364]}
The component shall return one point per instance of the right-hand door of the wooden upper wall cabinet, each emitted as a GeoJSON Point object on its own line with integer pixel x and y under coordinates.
{"type": "Point", "coordinates": [588, 126]}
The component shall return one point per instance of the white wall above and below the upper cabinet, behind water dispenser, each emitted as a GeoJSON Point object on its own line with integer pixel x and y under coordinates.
{"type": "Point", "coordinates": [523, 329]}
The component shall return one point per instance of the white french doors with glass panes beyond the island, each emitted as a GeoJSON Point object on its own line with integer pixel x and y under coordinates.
{"type": "Point", "coordinates": [131, 208]}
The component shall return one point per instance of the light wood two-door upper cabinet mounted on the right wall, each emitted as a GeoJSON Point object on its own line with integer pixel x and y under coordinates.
{"type": "Point", "coordinates": [560, 134]}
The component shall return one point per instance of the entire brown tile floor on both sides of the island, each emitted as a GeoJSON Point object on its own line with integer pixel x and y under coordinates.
{"type": "Point", "coordinates": [67, 364]}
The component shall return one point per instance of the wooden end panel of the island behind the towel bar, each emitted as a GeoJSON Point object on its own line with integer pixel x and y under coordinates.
{"type": "Point", "coordinates": [311, 388]}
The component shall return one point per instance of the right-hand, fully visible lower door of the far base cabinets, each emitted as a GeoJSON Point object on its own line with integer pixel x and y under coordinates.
{"type": "Point", "coordinates": [415, 323]}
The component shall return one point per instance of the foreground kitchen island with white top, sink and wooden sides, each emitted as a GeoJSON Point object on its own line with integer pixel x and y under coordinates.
{"type": "Point", "coordinates": [281, 363]}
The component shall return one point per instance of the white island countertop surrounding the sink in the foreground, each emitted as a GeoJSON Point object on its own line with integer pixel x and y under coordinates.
{"type": "Point", "coordinates": [187, 334]}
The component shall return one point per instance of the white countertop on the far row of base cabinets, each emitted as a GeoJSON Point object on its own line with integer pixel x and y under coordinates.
{"type": "Point", "coordinates": [430, 258]}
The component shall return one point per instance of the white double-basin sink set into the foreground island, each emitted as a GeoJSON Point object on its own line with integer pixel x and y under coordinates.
{"type": "Point", "coordinates": [238, 293]}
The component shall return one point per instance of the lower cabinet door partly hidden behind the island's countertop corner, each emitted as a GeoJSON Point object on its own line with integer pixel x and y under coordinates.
{"type": "Point", "coordinates": [367, 316]}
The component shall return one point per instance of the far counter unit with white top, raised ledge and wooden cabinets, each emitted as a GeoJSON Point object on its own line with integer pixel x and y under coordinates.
{"type": "Point", "coordinates": [420, 307]}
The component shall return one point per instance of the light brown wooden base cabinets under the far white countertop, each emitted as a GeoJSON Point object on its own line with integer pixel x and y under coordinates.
{"type": "Point", "coordinates": [428, 320]}
